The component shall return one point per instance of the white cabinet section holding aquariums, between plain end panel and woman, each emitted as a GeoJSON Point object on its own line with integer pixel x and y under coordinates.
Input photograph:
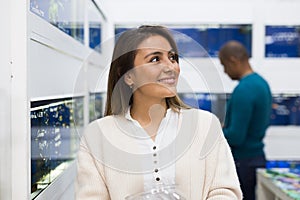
{"type": "Point", "coordinates": [64, 43]}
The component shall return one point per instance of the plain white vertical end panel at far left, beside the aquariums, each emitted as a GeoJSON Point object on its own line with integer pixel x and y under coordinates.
{"type": "Point", "coordinates": [14, 105]}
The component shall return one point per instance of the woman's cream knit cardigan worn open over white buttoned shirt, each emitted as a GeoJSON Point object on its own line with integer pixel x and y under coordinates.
{"type": "Point", "coordinates": [108, 161]}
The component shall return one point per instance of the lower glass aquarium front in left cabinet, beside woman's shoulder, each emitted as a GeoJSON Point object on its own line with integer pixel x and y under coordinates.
{"type": "Point", "coordinates": [55, 129]}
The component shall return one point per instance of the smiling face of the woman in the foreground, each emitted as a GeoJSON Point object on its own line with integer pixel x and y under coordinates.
{"type": "Point", "coordinates": [156, 71]}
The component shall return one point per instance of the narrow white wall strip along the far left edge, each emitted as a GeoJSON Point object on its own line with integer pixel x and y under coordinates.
{"type": "Point", "coordinates": [5, 104]}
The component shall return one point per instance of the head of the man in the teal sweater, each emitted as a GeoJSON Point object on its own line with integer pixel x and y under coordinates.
{"type": "Point", "coordinates": [234, 57]}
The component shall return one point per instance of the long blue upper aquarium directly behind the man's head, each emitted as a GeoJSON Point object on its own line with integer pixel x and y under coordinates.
{"type": "Point", "coordinates": [206, 40]}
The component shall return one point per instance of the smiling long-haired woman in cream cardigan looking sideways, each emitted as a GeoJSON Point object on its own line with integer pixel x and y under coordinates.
{"type": "Point", "coordinates": [148, 137]}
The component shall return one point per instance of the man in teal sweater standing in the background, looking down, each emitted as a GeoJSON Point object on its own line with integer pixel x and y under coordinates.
{"type": "Point", "coordinates": [247, 115]}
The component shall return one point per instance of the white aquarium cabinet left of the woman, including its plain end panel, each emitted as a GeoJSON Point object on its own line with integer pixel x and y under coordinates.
{"type": "Point", "coordinates": [46, 58]}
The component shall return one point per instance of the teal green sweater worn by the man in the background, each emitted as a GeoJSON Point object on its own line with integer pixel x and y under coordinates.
{"type": "Point", "coordinates": [247, 116]}
